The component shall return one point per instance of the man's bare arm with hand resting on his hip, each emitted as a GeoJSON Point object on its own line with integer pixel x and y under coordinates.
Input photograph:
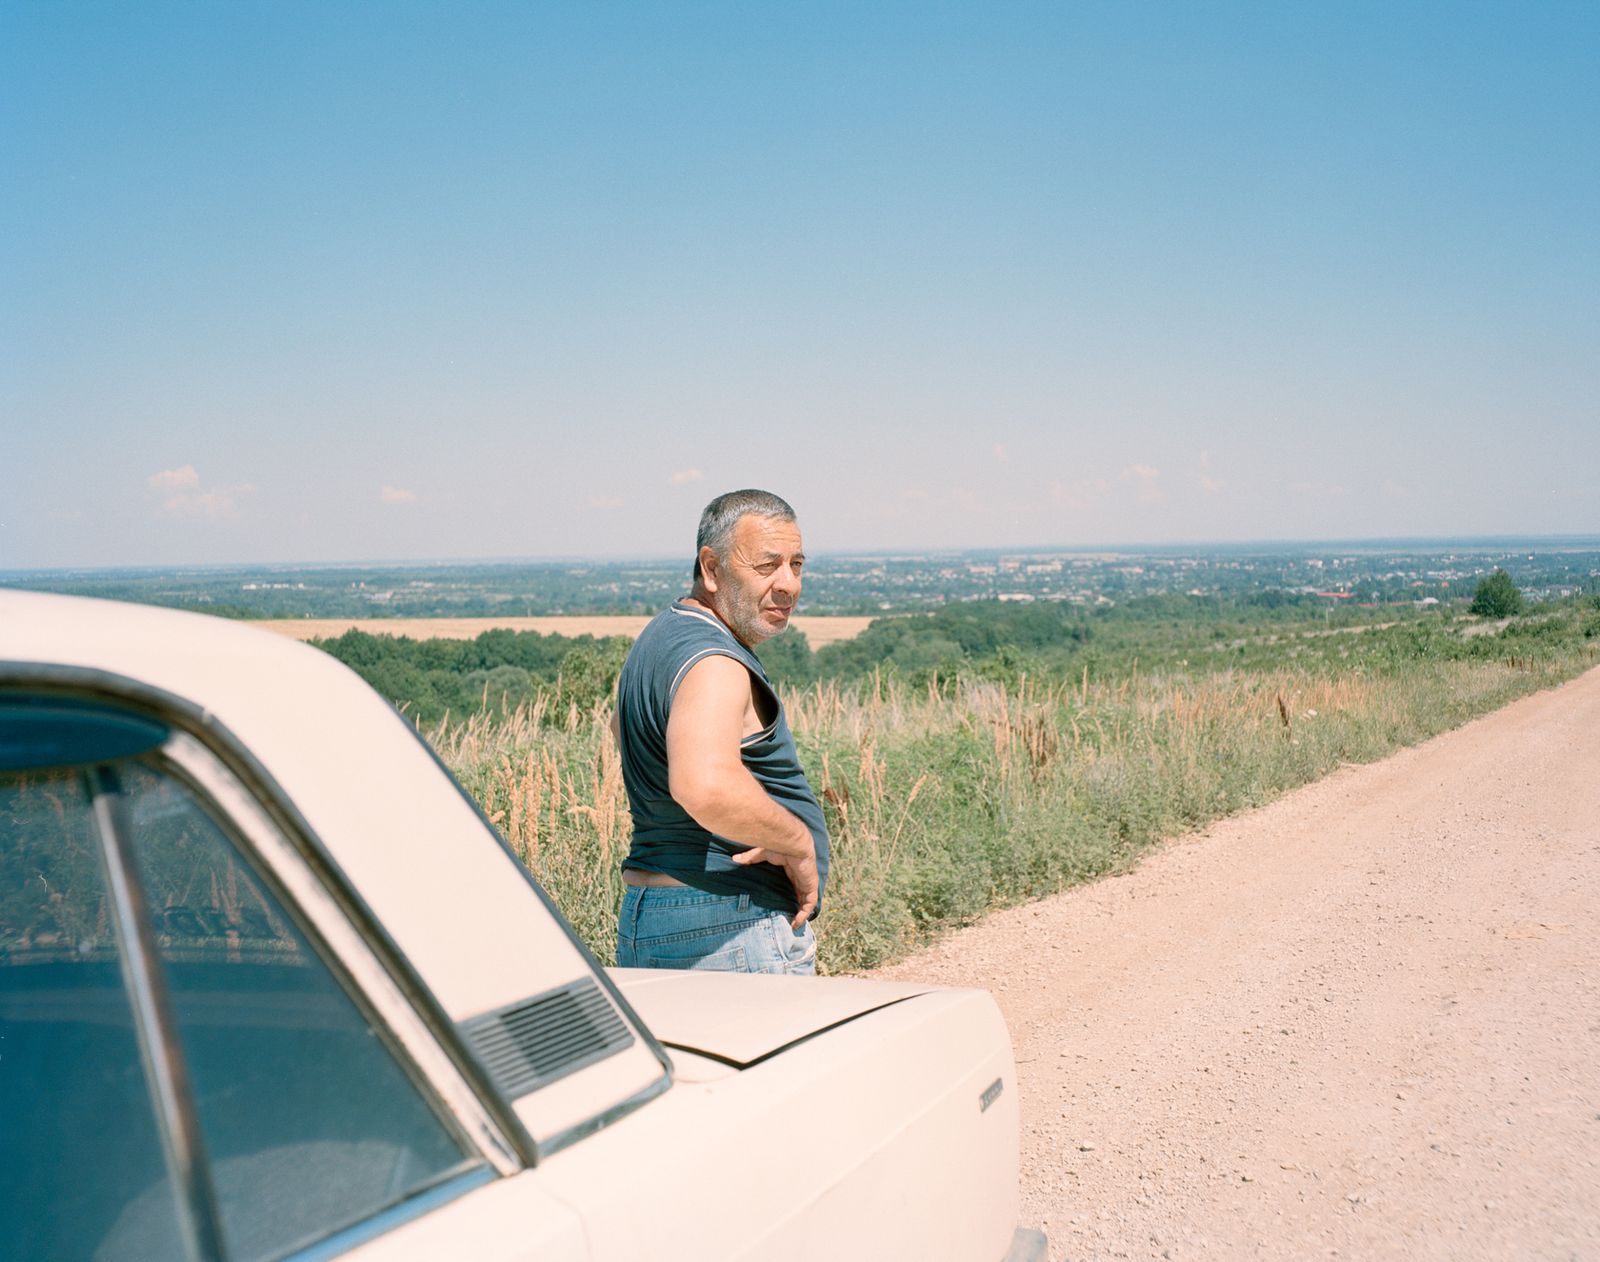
{"type": "Point", "coordinates": [708, 778]}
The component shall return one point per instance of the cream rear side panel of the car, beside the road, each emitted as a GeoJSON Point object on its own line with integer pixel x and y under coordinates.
{"type": "Point", "coordinates": [871, 1141]}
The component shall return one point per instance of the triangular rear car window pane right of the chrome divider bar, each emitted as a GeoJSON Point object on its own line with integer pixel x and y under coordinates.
{"type": "Point", "coordinates": [310, 1122]}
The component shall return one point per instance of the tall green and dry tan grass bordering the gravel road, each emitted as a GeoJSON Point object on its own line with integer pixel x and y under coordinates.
{"type": "Point", "coordinates": [959, 797]}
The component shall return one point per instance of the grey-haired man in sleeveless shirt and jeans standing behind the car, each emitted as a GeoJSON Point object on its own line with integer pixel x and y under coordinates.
{"type": "Point", "coordinates": [730, 850]}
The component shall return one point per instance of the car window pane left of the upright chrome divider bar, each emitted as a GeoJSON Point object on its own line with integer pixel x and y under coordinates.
{"type": "Point", "coordinates": [78, 1132]}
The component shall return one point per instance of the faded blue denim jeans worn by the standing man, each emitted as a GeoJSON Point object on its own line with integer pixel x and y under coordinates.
{"type": "Point", "coordinates": [689, 929]}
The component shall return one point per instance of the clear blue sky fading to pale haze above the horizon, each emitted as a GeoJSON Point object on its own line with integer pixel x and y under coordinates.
{"type": "Point", "coordinates": [308, 282]}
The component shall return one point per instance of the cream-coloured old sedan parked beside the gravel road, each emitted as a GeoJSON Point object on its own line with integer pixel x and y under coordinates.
{"type": "Point", "coordinates": [273, 988]}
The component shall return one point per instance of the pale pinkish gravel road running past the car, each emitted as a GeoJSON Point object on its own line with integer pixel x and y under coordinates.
{"type": "Point", "coordinates": [1359, 1023]}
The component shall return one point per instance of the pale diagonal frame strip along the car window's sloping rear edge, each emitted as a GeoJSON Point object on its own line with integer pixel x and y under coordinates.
{"type": "Point", "coordinates": [351, 952]}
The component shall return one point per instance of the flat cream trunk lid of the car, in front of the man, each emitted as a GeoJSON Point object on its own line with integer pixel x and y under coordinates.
{"type": "Point", "coordinates": [740, 1018]}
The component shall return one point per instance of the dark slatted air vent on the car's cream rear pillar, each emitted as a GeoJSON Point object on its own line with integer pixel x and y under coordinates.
{"type": "Point", "coordinates": [535, 1042]}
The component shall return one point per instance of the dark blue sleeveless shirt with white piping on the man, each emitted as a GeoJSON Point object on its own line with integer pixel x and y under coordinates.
{"type": "Point", "coordinates": [666, 839]}
